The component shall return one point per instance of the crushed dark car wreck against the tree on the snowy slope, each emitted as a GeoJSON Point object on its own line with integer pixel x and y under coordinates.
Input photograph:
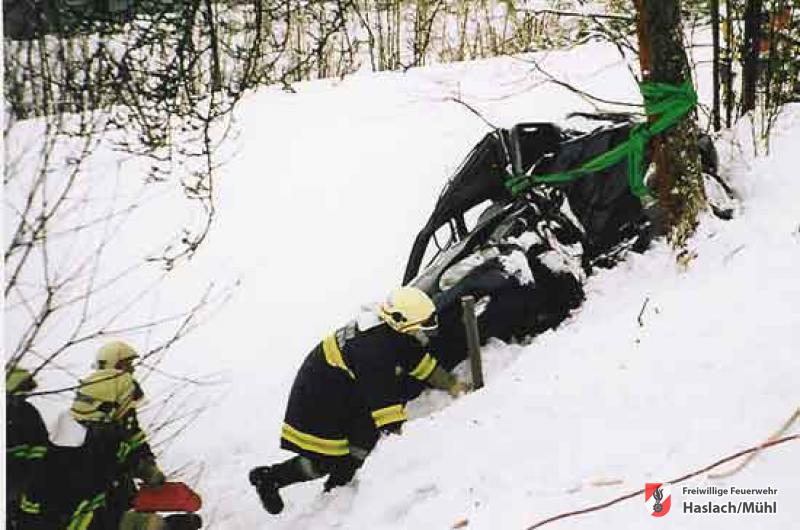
{"type": "Point", "coordinates": [525, 256]}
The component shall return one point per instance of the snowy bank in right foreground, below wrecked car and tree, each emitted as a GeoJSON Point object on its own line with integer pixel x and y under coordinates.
{"type": "Point", "coordinates": [713, 368]}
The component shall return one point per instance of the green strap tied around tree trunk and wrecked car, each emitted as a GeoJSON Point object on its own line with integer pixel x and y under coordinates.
{"type": "Point", "coordinates": [670, 103]}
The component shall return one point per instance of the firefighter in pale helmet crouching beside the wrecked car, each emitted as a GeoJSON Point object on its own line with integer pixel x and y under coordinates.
{"type": "Point", "coordinates": [349, 390]}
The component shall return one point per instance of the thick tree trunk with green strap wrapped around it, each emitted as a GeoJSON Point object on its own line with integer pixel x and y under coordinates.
{"type": "Point", "coordinates": [679, 183]}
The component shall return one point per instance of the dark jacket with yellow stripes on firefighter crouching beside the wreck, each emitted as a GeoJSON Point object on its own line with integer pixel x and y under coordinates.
{"type": "Point", "coordinates": [349, 388]}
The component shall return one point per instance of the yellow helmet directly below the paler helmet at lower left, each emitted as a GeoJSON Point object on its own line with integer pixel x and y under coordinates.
{"type": "Point", "coordinates": [106, 395]}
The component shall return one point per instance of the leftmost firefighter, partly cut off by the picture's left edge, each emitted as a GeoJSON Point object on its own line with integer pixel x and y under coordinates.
{"type": "Point", "coordinates": [27, 443]}
